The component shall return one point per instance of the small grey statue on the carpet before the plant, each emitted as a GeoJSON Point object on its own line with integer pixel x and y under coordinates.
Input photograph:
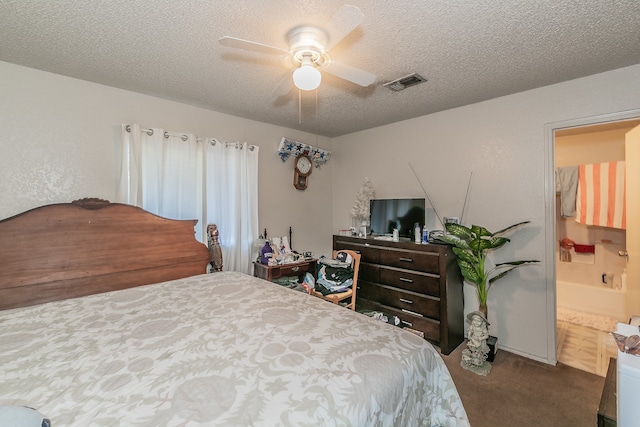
{"type": "Point", "coordinates": [474, 357]}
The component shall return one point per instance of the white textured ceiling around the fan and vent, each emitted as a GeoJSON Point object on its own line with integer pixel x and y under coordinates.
{"type": "Point", "coordinates": [468, 50]}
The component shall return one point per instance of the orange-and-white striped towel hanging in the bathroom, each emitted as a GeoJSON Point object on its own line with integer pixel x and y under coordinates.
{"type": "Point", "coordinates": [601, 195]}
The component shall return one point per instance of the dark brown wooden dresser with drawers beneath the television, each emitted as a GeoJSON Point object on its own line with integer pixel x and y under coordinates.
{"type": "Point", "coordinates": [420, 284]}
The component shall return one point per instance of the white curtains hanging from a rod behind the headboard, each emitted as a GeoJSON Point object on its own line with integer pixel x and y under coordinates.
{"type": "Point", "coordinates": [183, 177]}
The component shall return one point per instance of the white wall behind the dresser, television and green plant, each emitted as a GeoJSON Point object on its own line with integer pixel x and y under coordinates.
{"type": "Point", "coordinates": [503, 143]}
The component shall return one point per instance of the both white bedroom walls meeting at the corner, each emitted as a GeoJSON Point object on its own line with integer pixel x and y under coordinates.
{"type": "Point", "coordinates": [59, 141]}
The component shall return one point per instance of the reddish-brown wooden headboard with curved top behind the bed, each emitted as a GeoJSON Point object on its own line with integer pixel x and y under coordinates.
{"type": "Point", "coordinates": [90, 246]}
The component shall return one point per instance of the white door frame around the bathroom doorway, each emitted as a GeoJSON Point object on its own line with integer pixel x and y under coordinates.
{"type": "Point", "coordinates": [550, 211]}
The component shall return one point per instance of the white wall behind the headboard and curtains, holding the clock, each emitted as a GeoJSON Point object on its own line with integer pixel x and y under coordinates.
{"type": "Point", "coordinates": [59, 140]}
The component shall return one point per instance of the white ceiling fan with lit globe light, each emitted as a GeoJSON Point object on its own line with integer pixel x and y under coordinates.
{"type": "Point", "coordinates": [308, 52]}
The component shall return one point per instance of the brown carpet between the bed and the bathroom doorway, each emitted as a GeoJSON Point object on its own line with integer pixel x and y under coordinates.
{"type": "Point", "coordinates": [523, 392]}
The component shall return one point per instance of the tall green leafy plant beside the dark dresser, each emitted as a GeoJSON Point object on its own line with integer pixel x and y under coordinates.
{"type": "Point", "coordinates": [472, 245]}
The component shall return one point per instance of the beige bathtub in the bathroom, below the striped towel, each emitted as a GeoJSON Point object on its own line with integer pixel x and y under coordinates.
{"type": "Point", "coordinates": [591, 299]}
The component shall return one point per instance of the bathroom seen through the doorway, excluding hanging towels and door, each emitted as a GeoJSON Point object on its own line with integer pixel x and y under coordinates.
{"type": "Point", "coordinates": [589, 272]}
